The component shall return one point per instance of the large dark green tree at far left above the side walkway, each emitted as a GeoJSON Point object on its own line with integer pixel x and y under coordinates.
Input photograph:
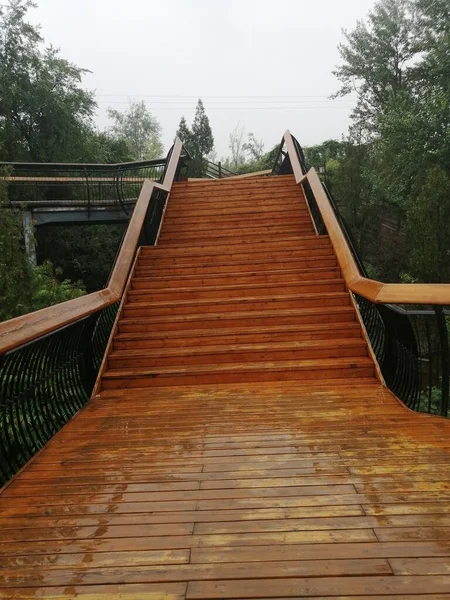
{"type": "Point", "coordinates": [44, 113]}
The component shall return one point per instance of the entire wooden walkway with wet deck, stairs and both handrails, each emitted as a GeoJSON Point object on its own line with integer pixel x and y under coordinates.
{"type": "Point", "coordinates": [241, 441]}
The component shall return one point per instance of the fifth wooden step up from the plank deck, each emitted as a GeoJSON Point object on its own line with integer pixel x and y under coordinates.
{"type": "Point", "coordinates": [246, 303]}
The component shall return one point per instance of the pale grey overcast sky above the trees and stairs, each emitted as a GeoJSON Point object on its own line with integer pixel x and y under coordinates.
{"type": "Point", "coordinates": [263, 64]}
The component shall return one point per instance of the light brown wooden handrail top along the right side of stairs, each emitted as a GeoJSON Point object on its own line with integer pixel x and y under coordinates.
{"type": "Point", "coordinates": [375, 291]}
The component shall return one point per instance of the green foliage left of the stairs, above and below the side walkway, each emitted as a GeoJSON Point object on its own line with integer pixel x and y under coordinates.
{"type": "Point", "coordinates": [45, 115]}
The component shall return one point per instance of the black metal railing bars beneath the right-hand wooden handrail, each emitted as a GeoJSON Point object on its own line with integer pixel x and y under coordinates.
{"type": "Point", "coordinates": [409, 341]}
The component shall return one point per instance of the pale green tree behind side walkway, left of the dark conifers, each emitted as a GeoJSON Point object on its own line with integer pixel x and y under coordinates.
{"type": "Point", "coordinates": [139, 129]}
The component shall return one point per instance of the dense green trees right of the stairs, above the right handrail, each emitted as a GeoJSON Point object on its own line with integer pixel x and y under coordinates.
{"type": "Point", "coordinates": [399, 65]}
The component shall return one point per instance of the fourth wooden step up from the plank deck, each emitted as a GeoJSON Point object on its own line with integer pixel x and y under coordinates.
{"type": "Point", "coordinates": [241, 319]}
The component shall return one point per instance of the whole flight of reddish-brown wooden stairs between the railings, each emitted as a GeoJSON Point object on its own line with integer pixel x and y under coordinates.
{"type": "Point", "coordinates": [239, 289]}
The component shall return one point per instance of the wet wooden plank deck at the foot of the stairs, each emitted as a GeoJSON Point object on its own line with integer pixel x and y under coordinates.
{"type": "Point", "coordinates": [236, 491]}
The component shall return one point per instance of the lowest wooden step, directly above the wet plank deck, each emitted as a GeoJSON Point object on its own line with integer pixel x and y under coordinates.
{"type": "Point", "coordinates": [299, 370]}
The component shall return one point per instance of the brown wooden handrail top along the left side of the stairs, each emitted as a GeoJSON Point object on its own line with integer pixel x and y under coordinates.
{"type": "Point", "coordinates": [26, 328]}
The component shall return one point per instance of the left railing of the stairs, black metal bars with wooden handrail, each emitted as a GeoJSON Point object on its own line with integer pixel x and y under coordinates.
{"type": "Point", "coordinates": [46, 378]}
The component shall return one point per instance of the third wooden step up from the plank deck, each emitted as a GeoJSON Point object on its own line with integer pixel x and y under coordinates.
{"type": "Point", "coordinates": [236, 335]}
